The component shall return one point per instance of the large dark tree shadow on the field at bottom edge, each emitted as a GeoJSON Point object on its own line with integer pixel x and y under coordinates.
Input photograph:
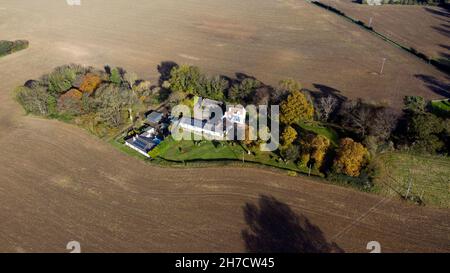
{"type": "Point", "coordinates": [274, 228]}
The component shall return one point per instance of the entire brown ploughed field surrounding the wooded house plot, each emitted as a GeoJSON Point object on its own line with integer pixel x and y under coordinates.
{"type": "Point", "coordinates": [58, 183]}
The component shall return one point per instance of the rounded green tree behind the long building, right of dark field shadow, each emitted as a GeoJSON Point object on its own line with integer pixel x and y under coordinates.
{"type": "Point", "coordinates": [185, 79]}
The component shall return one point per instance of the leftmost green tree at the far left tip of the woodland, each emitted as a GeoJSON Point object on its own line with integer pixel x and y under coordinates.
{"type": "Point", "coordinates": [34, 101]}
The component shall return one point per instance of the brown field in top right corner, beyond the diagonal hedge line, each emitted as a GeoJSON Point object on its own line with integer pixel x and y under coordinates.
{"type": "Point", "coordinates": [425, 28]}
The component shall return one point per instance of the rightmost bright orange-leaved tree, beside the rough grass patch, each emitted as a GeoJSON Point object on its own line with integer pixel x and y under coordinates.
{"type": "Point", "coordinates": [351, 157]}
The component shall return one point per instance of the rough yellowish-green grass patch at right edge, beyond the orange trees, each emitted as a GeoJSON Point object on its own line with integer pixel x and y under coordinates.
{"type": "Point", "coordinates": [430, 176]}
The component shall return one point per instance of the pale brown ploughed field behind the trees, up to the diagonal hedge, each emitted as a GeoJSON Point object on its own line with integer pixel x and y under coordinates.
{"type": "Point", "coordinates": [268, 39]}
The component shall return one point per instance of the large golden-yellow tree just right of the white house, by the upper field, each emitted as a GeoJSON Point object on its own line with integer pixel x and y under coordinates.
{"type": "Point", "coordinates": [296, 108]}
